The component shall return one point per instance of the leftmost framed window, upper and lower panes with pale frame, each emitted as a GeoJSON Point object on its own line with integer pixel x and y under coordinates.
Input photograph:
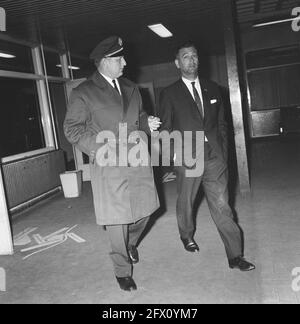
{"type": "Point", "coordinates": [26, 121]}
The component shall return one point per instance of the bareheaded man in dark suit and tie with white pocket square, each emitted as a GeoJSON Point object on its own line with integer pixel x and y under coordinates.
{"type": "Point", "coordinates": [195, 105]}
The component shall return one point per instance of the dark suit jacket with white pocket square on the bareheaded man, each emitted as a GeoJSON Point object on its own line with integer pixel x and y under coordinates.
{"type": "Point", "coordinates": [178, 112]}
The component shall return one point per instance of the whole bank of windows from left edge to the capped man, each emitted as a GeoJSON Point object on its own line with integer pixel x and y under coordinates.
{"type": "Point", "coordinates": [31, 83]}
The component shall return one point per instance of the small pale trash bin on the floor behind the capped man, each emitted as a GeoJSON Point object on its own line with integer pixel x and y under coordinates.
{"type": "Point", "coordinates": [72, 183]}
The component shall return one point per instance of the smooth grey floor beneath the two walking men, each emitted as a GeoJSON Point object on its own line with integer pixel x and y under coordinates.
{"type": "Point", "coordinates": [81, 272]}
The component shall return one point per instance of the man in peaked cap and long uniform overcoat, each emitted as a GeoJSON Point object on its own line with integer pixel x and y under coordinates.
{"type": "Point", "coordinates": [124, 195]}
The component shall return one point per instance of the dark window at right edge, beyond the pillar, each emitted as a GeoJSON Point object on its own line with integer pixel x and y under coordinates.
{"type": "Point", "coordinates": [274, 78]}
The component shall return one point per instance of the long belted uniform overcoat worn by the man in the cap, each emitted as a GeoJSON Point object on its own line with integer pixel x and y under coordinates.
{"type": "Point", "coordinates": [122, 194]}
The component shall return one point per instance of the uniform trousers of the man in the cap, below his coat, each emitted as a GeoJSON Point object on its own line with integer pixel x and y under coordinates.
{"type": "Point", "coordinates": [121, 236]}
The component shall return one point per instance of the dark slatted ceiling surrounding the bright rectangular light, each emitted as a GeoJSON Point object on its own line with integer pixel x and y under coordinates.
{"type": "Point", "coordinates": [83, 23]}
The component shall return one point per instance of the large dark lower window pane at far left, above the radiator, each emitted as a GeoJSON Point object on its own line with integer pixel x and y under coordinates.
{"type": "Point", "coordinates": [20, 123]}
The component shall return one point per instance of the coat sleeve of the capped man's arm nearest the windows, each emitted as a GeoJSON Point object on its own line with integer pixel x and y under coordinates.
{"type": "Point", "coordinates": [78, 125]}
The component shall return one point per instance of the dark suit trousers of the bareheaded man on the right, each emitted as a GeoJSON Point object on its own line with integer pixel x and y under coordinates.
{"type": "Point", "coordinates": [215, 184]}
